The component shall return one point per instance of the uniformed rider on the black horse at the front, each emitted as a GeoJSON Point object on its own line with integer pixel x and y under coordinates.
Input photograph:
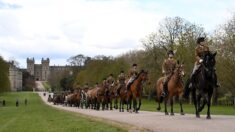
{"type": "Point", "coordinates": [199, 50]}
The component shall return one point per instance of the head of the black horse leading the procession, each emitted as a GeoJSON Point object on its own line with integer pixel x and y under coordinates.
{"type": "Point", "coordinates": [209, 62]}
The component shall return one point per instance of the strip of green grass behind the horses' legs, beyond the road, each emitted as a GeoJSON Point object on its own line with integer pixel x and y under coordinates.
{"type": "Point", "coordinates": [188, 108]}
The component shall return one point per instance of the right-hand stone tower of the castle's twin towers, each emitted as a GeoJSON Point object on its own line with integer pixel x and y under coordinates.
{"type": "Point", "coordinates": [45, 69]}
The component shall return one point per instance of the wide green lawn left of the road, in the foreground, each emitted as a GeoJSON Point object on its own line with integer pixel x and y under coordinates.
{"type": "Point", "coordinates": [38, 117]}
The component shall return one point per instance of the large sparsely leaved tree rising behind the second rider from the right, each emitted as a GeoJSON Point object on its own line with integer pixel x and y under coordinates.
{"type": "Point", "coordinates": [176, 34]}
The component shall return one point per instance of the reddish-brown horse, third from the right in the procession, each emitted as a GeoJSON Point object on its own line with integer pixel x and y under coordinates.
{"type": "Point", "coordinates": [136, 90]}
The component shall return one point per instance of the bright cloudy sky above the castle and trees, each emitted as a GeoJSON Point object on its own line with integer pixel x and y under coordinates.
{"type": "Point", "coordinates": [59, 29]}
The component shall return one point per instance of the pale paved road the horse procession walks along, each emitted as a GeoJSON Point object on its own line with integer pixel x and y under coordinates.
{"type": "Point", "coordinates": [158, 122]}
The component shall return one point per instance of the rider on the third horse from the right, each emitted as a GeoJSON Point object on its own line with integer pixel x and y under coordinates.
{"type": "Point", "coordinates": [132, 74]}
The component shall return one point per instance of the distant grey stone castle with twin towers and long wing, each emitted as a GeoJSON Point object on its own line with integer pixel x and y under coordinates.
{"type": "Point", "coordinates": [41, 72]}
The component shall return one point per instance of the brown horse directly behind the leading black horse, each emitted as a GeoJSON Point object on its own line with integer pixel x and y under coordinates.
{"type": "Point", "coordinates": [175, 88]}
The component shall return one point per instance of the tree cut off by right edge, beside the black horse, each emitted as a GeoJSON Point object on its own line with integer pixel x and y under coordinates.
{"type": "Point", "coordinates": [224, 44]}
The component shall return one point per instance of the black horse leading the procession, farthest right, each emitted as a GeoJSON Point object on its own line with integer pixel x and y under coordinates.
{"type": "Point", "coordinates": [203, 84]}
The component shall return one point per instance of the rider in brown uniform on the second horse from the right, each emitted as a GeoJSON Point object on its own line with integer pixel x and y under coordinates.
{"type": "Point", "coordinates": [168, 67]}
